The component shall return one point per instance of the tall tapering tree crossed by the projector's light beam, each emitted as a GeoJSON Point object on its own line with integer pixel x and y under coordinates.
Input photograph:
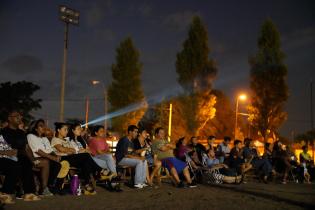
{"type": "Point", "coordinates": [126, 86]}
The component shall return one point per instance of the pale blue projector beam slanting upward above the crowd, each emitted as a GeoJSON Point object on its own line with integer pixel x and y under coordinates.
{"type": "Point", "coordinates": [150, 101]}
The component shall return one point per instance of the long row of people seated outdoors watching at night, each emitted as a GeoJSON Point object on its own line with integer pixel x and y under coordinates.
{"type": "Point", "coordinates": [39, 152]}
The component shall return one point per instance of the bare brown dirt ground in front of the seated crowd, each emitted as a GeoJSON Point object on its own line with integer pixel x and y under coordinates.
{"type": "Point", "coordinates": [253, 196]}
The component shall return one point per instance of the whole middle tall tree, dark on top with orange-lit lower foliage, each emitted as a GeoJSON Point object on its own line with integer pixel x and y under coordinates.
{"type": "Point", "coordinates": [196, 72]}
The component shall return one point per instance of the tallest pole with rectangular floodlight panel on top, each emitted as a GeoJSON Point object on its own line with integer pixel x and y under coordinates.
{"type": "Point", "coordinates": [68, 16]}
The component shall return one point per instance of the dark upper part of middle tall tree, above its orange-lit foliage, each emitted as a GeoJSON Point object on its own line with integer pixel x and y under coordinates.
{"type": "Point", "coordinates": [194, 68]}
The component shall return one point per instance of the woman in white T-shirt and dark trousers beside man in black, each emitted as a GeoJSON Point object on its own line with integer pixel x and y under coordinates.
{"type": "Point", "coordinates": [48, 161]}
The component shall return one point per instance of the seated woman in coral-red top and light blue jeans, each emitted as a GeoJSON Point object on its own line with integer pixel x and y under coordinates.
{"type": "Point", "coordinates": [100, 150]}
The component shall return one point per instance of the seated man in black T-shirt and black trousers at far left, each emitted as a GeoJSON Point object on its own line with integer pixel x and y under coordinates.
{"type": "Point", "coordinates": [15, 163]}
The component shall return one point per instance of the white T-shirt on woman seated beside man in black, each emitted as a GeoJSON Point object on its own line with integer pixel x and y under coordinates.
{"type": "Point", "coordinates": [39, 143]}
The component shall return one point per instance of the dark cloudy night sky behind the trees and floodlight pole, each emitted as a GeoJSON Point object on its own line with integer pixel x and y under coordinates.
{"type": "Point", "coordinates": [31, 47]}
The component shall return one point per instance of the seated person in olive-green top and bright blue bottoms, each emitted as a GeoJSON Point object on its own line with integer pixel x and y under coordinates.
{"type": "Point", "coordinates": [164, 152]}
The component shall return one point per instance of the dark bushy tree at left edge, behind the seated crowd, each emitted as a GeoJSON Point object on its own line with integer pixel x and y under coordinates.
{"type": "Point", "coordinates": [18, 96]}
